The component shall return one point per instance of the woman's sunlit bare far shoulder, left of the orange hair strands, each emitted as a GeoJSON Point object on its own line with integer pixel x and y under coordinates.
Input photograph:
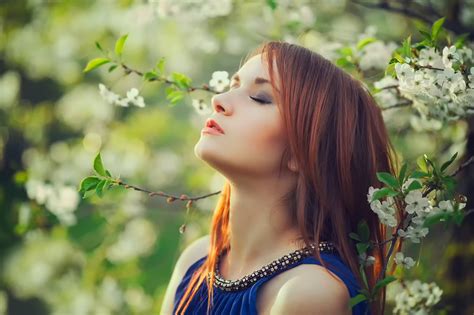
{"type": "Point", "coordinates": [194, 251]}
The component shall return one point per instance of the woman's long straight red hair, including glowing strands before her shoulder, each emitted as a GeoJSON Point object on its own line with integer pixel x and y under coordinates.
{"type": "Point", "coordinates": [337, 135]}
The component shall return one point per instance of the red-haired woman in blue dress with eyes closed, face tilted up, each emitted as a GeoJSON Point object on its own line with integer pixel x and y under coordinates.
{"type": "Point", "coordinates": [299, 142]}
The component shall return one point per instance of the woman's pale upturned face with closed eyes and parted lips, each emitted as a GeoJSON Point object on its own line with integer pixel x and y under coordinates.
{"type": "Point", "coordinates": [253, 139]}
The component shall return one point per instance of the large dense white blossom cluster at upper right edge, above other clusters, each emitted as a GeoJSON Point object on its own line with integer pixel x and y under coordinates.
{"type": "Point", "coordinates": [439, 94]}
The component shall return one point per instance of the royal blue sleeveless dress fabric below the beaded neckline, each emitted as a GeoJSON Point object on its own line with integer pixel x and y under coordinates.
{"type": "Point", "coordinates": [244, 301]}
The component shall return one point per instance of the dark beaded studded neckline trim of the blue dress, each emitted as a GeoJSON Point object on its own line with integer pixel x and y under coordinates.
{"type": "Point", "coordinates": [278, 264]}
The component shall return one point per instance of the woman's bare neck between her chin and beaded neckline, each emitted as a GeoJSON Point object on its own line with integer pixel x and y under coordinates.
{"type": "Point", "coordinates": [261, 228]}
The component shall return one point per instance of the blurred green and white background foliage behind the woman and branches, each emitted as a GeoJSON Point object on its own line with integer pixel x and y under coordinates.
{"type": "Point", "coordinates": [114, 255]}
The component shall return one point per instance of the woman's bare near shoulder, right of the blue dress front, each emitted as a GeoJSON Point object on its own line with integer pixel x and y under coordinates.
{"type": "Point", "coordinates": [312, 290]}
